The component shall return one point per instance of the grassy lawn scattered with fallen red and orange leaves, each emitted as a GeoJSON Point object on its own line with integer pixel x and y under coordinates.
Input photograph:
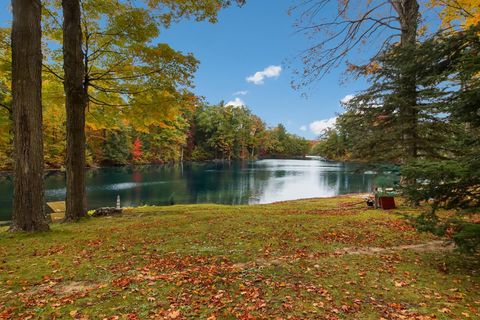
{"type": "Point", "coordinates": [306, 259]}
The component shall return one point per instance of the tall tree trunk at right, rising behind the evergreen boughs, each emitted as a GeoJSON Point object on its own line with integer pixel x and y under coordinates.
{"type": "Point", "coordinates": [408, 13]}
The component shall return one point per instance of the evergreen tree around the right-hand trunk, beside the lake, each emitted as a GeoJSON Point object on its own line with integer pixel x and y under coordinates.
{"type": "Point", "coordinates": [376, 120]}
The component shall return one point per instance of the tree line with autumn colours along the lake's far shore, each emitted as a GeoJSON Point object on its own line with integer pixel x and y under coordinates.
{"type": "Point", "coordinates": [198, 133]}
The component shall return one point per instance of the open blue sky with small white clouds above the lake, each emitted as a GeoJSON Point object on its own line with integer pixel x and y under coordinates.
{"type": "Point", "coordinates": [246, 42]}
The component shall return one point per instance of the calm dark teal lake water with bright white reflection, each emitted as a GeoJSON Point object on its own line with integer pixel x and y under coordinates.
{"type": "Point", "coordinates": [252, 182]}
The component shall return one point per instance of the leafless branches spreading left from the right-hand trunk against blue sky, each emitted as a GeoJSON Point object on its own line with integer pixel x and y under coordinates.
{"type": "Point", "coordinates": [342, 33]}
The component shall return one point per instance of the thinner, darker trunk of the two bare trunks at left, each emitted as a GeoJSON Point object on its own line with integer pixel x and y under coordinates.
{"type": "Point", "coordinates": [76, 100]}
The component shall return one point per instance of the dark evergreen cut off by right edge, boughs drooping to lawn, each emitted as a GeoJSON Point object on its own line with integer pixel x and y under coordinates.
{"type": "Point", "coordinates": [454, 181]}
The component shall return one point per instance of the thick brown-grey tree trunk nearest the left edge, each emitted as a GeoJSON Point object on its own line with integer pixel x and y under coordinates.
{"type": "Point", "coordinates": [28, 198]}
